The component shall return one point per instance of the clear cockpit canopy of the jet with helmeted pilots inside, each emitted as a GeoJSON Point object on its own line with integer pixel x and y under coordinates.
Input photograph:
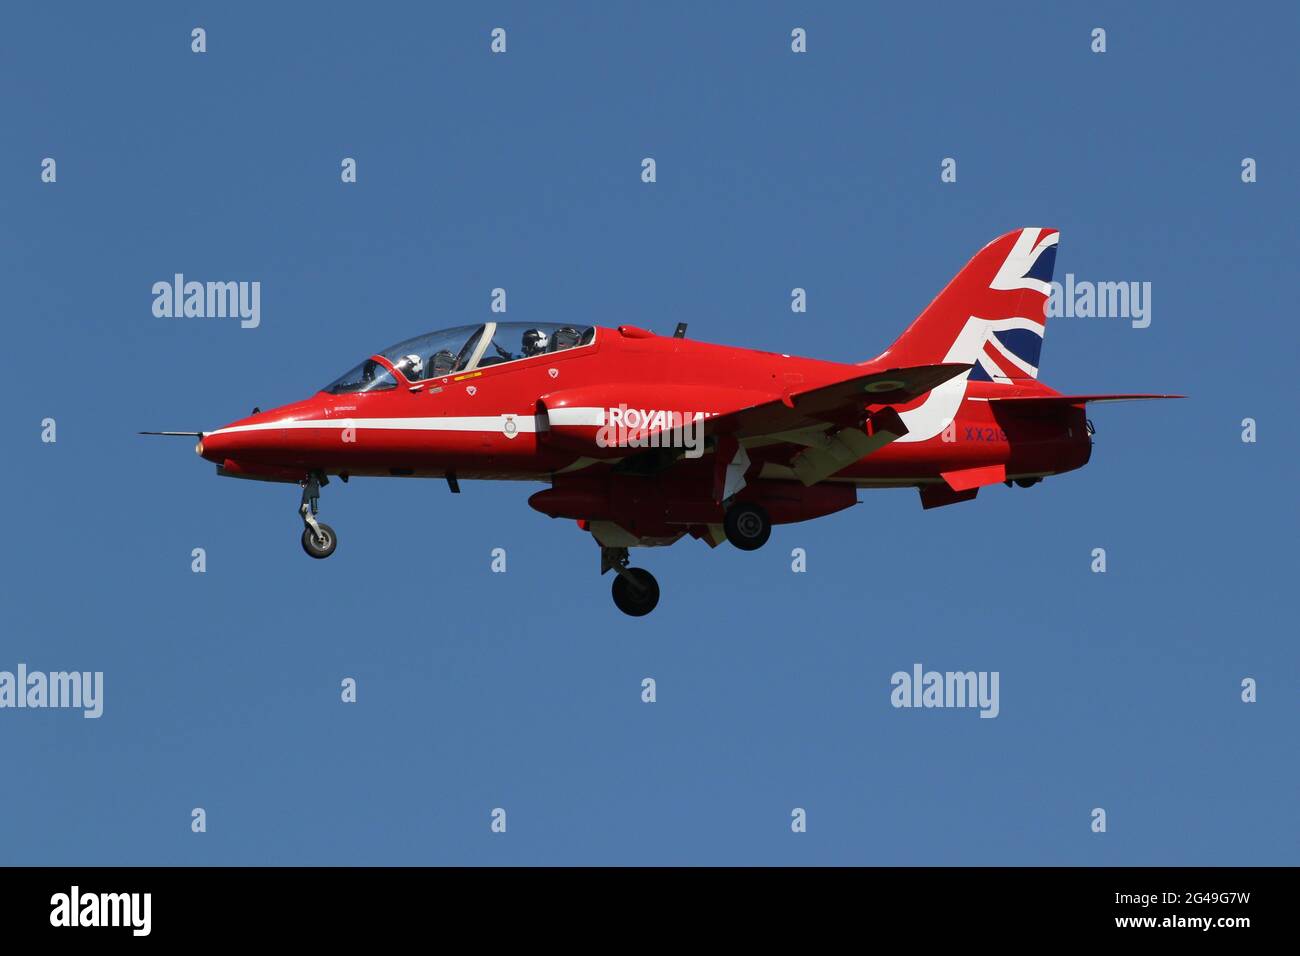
{"type": "Point", "coordinates": [462, 349]}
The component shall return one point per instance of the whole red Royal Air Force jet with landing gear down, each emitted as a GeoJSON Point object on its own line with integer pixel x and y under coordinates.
{"type": "Point", "coordinates": [645, 439]}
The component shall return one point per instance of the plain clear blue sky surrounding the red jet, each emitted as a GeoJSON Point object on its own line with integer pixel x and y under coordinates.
{"type": "Point", "coordinates": [522, 691]}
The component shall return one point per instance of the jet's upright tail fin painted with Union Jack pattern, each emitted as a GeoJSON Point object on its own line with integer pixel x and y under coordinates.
{"type": "Point", "coordinates": [991, 315]}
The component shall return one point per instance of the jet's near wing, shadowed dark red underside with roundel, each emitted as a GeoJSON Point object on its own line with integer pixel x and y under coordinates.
{"type": "Point", "coordinates": [839, 404]}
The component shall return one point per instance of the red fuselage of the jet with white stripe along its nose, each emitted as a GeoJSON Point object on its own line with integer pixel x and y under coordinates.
{"type": "Point", "coordinates": [492, 423]}
